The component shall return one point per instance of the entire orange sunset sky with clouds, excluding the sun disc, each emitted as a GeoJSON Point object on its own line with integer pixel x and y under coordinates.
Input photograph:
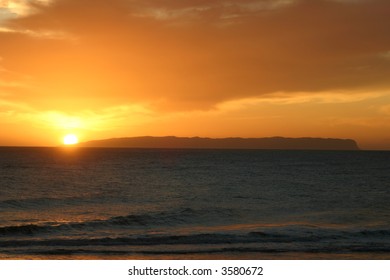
{"type": "Point", "coordinates": [215, 68]}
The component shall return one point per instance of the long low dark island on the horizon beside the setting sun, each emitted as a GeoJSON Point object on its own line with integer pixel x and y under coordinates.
{"type": "Point", "coordinates": [275, 143]}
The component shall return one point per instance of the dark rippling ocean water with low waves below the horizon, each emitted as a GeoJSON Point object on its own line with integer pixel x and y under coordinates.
{"type": "Point", "coordinates": [94, 203]}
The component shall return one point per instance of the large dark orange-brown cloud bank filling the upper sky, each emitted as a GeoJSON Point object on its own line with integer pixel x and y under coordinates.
{"type": "Point", "coordinates": [194, 54]}
